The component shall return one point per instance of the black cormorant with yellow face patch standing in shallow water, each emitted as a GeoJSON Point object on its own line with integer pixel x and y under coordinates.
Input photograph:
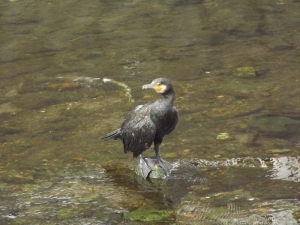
{"type": "Point", "coordinates": [149, 123]}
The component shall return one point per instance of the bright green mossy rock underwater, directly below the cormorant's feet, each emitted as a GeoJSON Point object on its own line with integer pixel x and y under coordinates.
{"type": "Point", "coordinates": [147, 215]}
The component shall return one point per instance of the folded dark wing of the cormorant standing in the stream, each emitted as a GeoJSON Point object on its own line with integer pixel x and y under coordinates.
{"type": "Point", "coordinates": [138, 130]}
